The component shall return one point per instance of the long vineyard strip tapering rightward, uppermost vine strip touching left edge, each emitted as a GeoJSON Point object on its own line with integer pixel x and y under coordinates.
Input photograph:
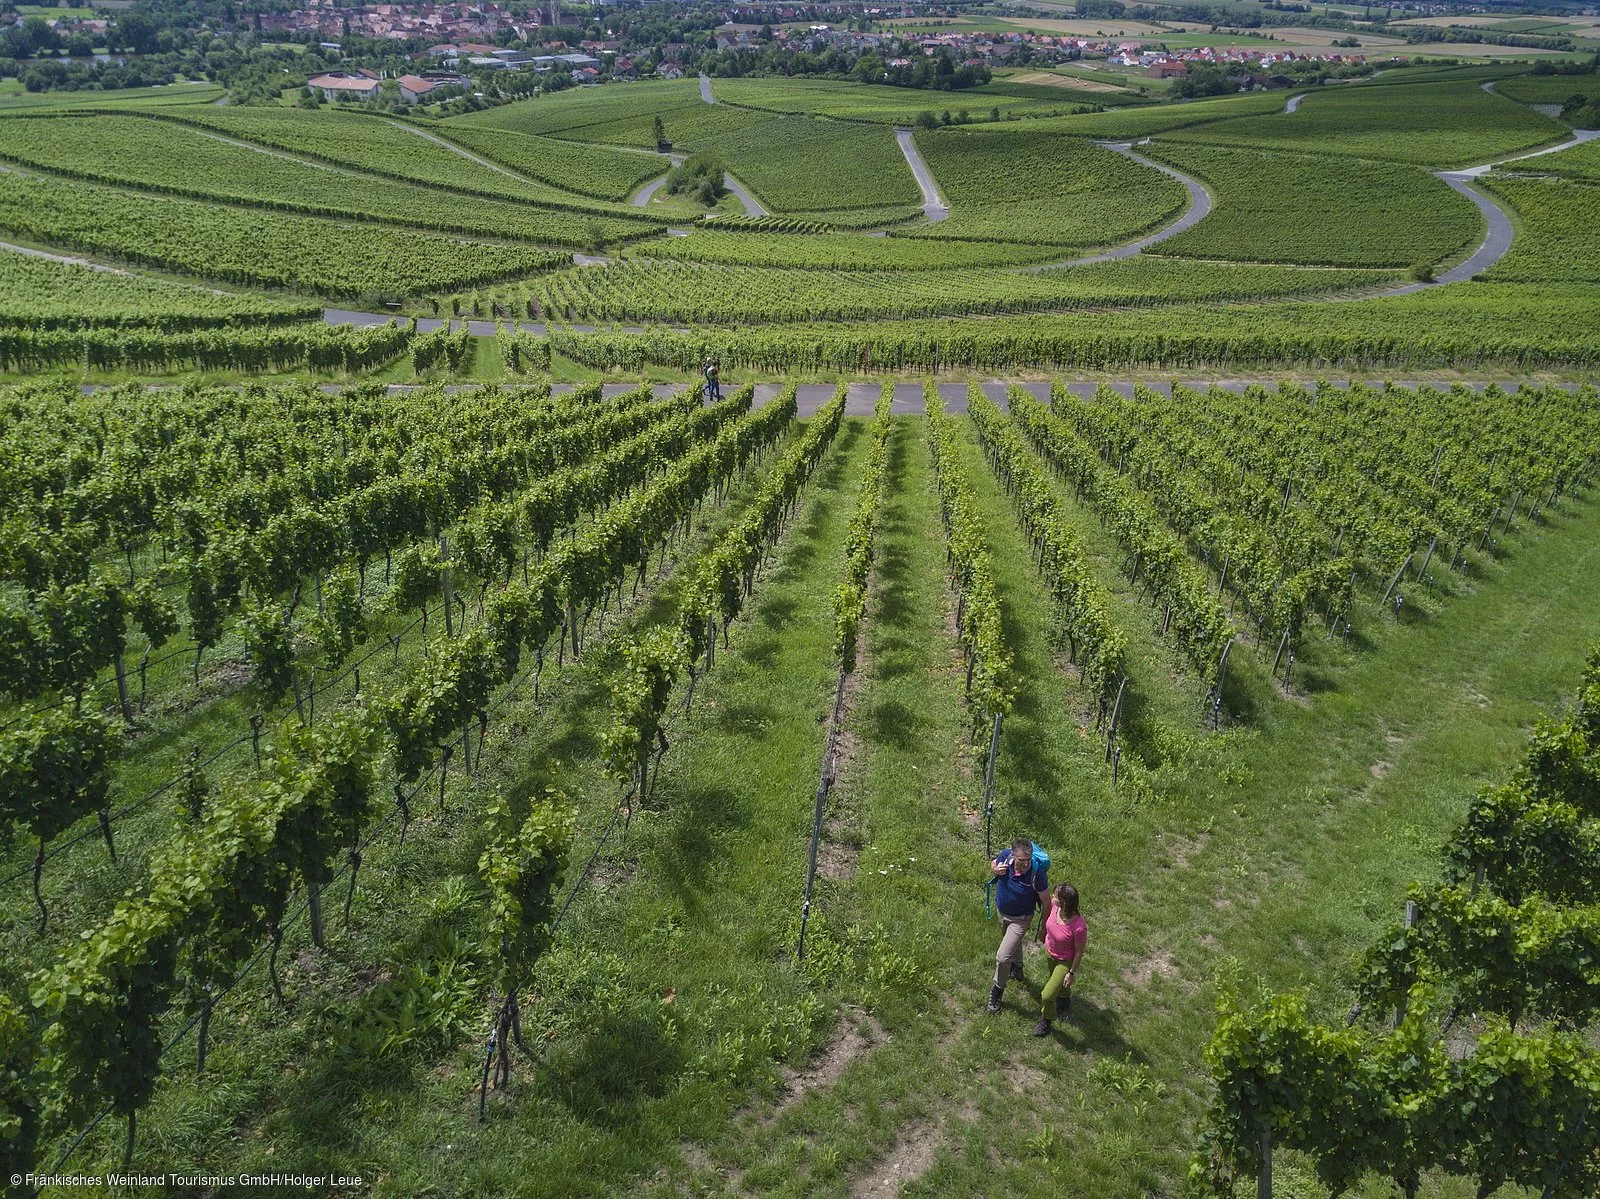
{"type": "Point", "coordinates": [166, 158]}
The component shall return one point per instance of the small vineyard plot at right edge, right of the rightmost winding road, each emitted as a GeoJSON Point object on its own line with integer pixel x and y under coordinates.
{"type": "Point", "coordinates": [1556, 238]}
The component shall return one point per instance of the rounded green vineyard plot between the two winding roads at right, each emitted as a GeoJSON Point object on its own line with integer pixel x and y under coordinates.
{"type": "Point", "coordinates": [1305, 209]}
